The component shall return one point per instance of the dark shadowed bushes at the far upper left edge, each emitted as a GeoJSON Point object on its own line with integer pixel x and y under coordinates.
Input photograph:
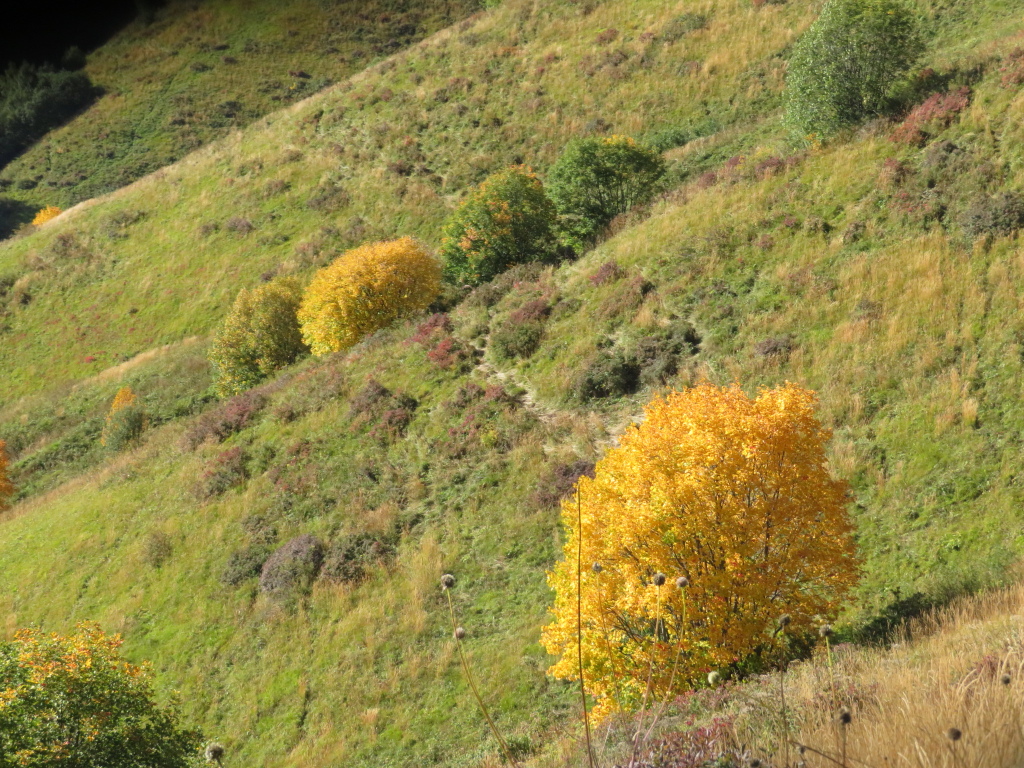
{"type": "Point", "coordinates": [34, 100]}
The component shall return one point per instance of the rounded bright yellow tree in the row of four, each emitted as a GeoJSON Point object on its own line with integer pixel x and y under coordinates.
{"type": "Point", "coordinates": [365, 290]}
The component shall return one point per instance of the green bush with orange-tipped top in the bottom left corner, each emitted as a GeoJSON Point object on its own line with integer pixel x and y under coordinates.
{"type": "Point", "coordinates": [74, 703]}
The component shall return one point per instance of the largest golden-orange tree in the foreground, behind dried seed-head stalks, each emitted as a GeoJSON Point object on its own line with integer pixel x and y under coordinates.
{"type": "Point", "coordinates": [730, 493]}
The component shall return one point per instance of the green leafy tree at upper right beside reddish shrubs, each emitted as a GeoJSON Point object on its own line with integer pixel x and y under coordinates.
{"type": "Point", "coordinates": [847, 65]}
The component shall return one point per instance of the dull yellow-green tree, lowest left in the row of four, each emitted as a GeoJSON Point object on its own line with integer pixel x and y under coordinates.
{"type": "Point", "coordinates": [261, 335]}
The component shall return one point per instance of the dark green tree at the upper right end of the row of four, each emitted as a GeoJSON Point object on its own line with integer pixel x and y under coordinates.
{"type": "Point", "coordinates": [599, 179]}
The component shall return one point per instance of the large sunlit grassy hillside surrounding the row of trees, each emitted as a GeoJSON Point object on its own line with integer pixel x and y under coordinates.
{"type": "Point", "coordinates": [864, 269]}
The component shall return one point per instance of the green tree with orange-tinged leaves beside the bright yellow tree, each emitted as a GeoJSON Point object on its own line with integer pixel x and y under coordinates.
{"type": "Point", "coordinates": [506, 221]}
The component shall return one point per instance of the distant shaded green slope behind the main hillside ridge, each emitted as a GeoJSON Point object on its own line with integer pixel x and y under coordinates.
{"type": "Point", "coordinates": [195, 72]}
